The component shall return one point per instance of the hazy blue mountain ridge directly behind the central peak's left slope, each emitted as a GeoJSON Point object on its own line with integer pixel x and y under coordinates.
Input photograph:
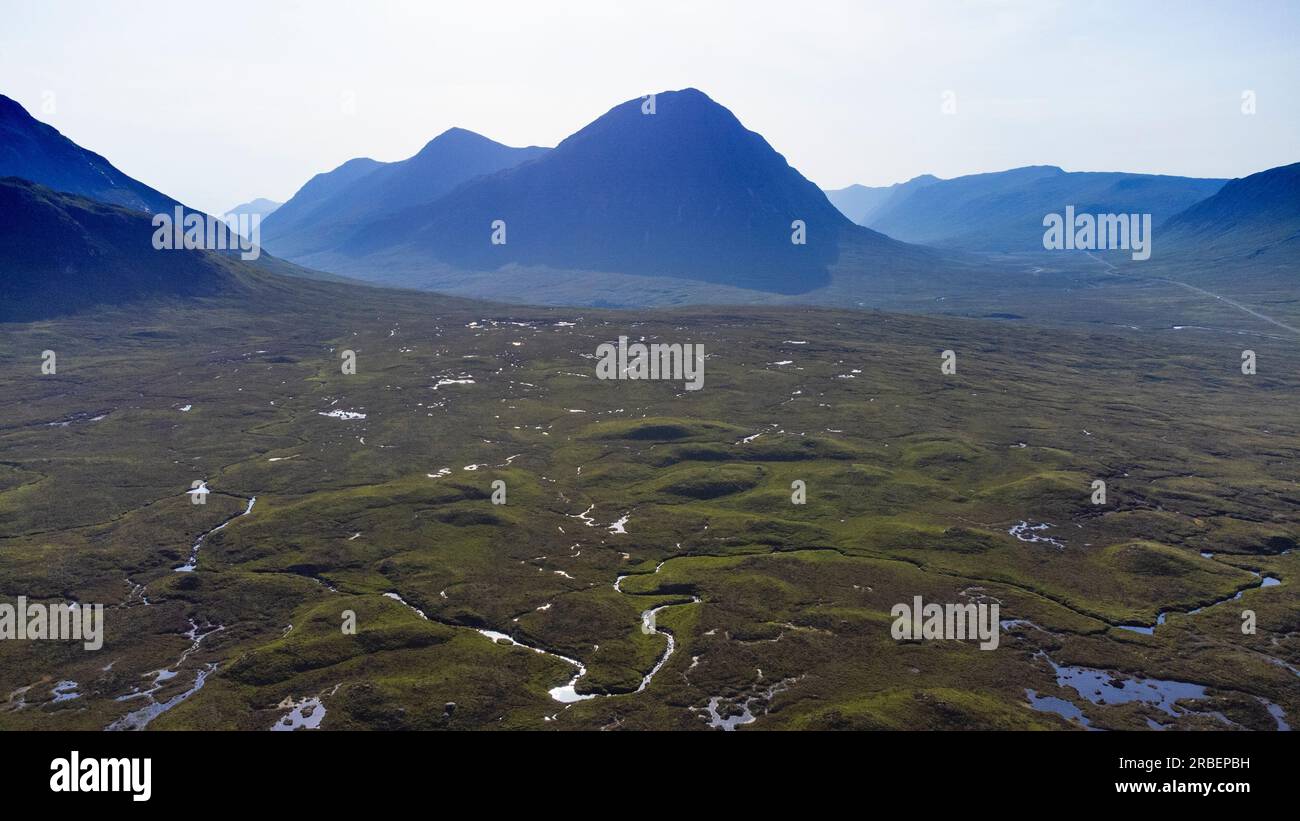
{"type": "Point", "coordinates": [363, 190]}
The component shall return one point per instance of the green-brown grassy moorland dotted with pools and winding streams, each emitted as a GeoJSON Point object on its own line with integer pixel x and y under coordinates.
{"type": "Point", "coordinates": [915, 481]}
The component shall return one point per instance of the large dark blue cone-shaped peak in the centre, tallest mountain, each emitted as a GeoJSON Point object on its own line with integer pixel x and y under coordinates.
{"type": "Point", "coordinates": [683, 193]}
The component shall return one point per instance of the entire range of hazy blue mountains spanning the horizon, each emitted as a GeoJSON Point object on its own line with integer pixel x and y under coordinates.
{"type": "Point", "coordinates": [679, 206]}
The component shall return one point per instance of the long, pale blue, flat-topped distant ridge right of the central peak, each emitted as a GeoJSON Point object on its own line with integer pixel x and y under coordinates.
{"type": "Point", "coordinates": [1004, 211]}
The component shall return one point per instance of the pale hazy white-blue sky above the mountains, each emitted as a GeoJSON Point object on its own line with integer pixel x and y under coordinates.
{"type": "Point", "coordinates": [219, 103]}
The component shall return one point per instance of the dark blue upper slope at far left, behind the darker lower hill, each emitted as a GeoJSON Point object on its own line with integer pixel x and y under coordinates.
{"type": "Point", "coordinates": [36, 151]}
